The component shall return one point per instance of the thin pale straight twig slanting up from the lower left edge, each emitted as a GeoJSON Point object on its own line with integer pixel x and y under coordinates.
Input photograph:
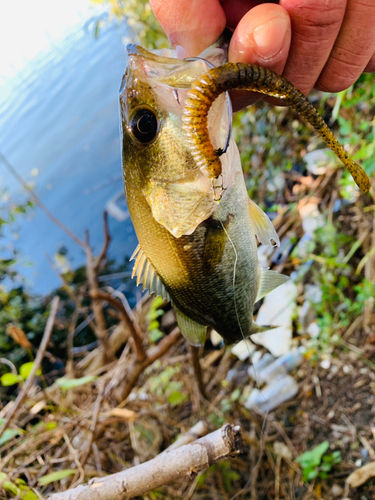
{"type": "Point", "coordinates": [38, 360]}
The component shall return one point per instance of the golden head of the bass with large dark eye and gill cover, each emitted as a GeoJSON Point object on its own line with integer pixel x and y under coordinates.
{"type": "Point", "coordinates": [157, 162]}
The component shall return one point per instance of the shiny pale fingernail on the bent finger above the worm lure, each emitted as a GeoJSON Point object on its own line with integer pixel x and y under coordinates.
{"type": "Point", "coordinates": [269, 37]}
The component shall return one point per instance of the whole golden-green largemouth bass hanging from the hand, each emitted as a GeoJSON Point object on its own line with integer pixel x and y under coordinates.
{"type": "Point", "coordinates": [195, 223]}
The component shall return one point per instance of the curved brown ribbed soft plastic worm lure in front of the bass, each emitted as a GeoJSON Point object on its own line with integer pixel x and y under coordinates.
{"type": "Point", "coordinates": [244, 76]}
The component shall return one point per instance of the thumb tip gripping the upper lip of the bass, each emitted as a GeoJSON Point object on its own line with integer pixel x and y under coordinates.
{"type": "Point", "coordinates": [190, 24]}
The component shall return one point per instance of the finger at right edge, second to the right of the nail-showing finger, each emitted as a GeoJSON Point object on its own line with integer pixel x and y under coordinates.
{"type": "Point", "coordinates": [353, 48]}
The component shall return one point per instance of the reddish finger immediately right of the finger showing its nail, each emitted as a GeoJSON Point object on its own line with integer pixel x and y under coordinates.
{"type": "Point", "coordinates": [315, 28]}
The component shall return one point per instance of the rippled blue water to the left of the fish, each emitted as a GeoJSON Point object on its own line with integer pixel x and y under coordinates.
{"type": "Point", "coordinates": [61, 117]}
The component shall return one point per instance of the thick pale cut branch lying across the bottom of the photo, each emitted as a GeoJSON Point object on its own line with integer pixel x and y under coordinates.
{"type": "Point", "coordinates": [166, 467]}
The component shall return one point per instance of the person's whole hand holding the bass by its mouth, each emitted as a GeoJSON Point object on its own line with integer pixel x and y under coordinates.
{"type": "Point", "coordinates": [313, 43]}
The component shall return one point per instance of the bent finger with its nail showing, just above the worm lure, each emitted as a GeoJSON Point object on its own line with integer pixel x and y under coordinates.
{"type": "Point", "coordinates": [262, 37]}
